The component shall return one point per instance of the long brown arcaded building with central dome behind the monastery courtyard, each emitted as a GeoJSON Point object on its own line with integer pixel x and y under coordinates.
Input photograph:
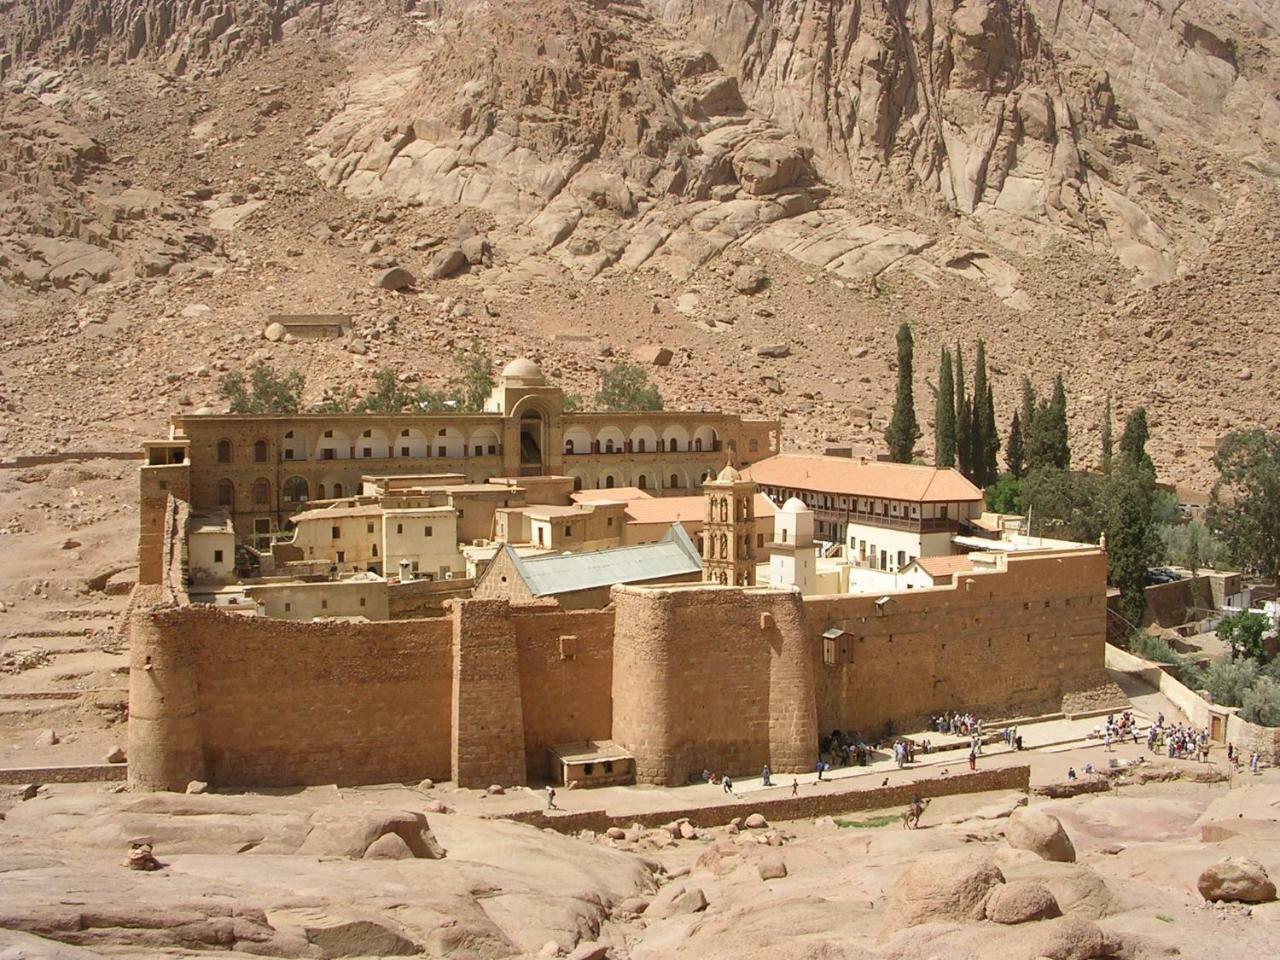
{"type": "Point", "coordinates": [262, 470]}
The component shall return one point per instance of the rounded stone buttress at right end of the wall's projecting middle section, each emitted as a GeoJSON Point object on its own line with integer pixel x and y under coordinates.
{"type": "Point", "coordinates": [793, 698]}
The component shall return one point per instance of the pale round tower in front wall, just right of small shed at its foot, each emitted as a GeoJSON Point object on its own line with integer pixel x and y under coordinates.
{"type": "Point", "coordinates": [642, 682]}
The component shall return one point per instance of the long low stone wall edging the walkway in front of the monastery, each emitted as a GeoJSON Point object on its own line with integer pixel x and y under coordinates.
{"type": "Point", "coordinates": [799, 808]}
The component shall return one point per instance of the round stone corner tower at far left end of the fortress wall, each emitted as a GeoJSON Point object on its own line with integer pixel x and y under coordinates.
{"type": "Point", "coordinates": [166, 744]}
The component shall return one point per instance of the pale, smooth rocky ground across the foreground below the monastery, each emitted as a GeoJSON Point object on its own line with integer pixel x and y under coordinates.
{"type": "Point", "coordinates": [395, 872]}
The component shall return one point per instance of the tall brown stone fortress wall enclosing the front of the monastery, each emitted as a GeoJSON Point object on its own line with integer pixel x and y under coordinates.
{"type": "Point", "coordinates": [687, 679]}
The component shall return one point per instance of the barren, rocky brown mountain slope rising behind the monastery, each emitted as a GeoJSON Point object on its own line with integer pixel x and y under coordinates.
{"type": "Point", "coordinates": [1071, 179]}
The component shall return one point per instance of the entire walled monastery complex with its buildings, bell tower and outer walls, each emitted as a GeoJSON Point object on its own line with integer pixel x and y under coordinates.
{"type": "Point", "coordinates": [474, 598]}
